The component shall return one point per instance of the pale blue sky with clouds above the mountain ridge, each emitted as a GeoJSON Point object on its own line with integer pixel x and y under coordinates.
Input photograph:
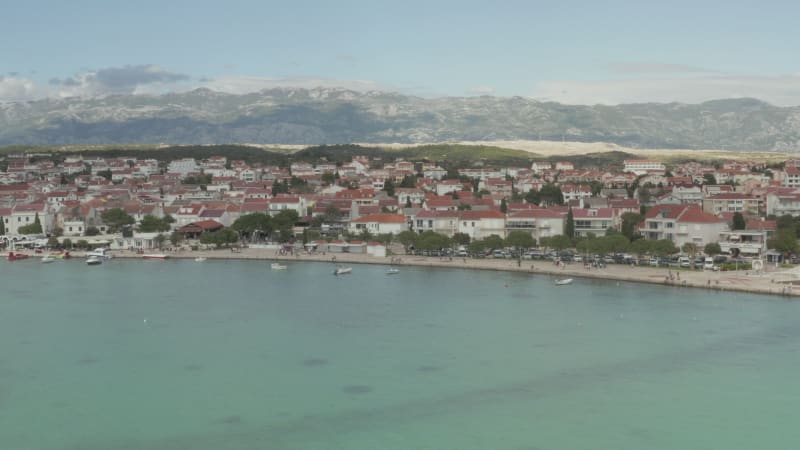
{"type": "Point", "coordinates": [574, 52]}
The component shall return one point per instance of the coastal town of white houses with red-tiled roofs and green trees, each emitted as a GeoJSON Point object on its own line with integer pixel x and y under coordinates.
{"type": "Point", "coordinates": [637, 211]}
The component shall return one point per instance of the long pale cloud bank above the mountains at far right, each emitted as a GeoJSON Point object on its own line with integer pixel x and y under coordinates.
{"type": "Point", "coordinates": [780, 90]}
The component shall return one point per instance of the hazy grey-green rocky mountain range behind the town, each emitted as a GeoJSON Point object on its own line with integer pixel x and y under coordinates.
{"type": "Point", "coordinates": [335, 116]}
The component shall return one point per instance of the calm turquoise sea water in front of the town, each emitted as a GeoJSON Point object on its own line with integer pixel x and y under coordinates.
{"type": "Point", "coordinates": [163, 355]}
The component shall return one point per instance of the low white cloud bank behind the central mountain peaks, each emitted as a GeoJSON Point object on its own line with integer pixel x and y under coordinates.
{"type": "Point", "coordinates": [244, 85]}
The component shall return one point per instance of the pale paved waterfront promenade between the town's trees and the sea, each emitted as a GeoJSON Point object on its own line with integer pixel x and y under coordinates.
{"type": "Point", "coordinates": [769, 283]}
